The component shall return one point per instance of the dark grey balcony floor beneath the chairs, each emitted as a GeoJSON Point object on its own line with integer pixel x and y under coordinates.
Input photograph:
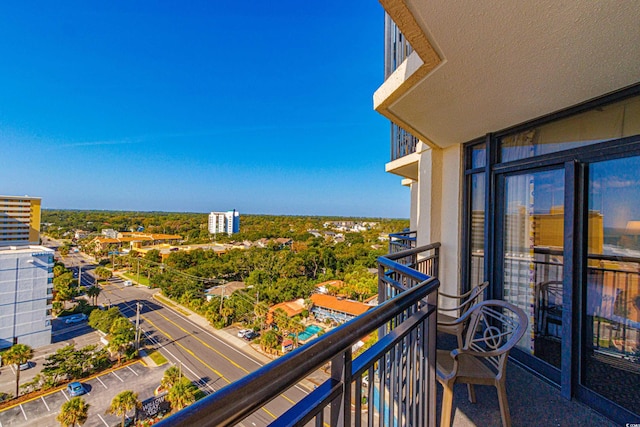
{"type": "Point", "coordinates": [532, 402]}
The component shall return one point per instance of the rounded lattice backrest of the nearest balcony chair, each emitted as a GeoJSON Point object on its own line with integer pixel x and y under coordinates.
{"type": "Point", "coordinates": [495, 327]}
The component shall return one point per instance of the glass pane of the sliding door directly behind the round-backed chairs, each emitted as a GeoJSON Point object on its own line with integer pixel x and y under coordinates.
{"type": "Point", "coordinates": [533, 251]}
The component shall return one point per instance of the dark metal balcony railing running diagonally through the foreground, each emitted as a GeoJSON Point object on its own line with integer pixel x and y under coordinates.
{"type": "Point", "coordinates": [391, 383]}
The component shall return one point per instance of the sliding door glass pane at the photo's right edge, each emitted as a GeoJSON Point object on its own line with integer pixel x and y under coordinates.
{"type": "Point", "coordinates": [611, 349]}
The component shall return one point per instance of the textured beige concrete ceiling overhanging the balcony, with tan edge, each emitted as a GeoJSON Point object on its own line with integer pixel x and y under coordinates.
{"type": "Point", "coordinates": [484, 66]}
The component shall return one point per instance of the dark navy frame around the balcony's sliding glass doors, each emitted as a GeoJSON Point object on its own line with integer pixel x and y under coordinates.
{"type": "Point", "coordinates": [575, 163]}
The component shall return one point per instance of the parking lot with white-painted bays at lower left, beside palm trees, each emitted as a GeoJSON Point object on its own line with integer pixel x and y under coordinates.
{"type": "Point", "coordinates": [42, 411]}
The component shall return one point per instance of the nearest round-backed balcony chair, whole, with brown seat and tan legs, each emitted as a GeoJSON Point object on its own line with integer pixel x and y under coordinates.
{"type": "Point", "coordinates": [494, 327]}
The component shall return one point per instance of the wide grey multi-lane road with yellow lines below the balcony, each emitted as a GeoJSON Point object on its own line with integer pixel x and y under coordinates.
{"type": "Point", "coordinates": [201, 353]}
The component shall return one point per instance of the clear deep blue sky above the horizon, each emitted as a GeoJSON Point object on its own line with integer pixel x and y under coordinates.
{"type": "Point", "coordinates": [265, 107]}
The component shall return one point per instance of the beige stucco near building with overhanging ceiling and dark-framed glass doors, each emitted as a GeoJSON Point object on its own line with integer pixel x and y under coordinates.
{"type": "Point", "coordinates": [516, 128]}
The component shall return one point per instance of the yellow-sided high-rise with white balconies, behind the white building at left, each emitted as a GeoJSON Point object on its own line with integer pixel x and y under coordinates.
{"type": "Point", "coordinates": [19, 220]}
